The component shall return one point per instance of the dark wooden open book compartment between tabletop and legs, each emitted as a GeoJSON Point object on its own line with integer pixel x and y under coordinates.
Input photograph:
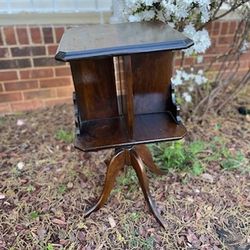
{"type": "Point", "coordinates": [148, 111]}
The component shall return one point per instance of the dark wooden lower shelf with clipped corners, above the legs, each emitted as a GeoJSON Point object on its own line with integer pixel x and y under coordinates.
{"type": "Point", "coordinates": [112, 132]}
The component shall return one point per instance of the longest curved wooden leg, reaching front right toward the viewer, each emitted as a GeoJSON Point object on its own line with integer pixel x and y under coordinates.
{"type": "Point", "coordinates": [137, 164]}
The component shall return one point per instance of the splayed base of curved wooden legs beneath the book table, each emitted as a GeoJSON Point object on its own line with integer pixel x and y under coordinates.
{"type": "Point", "coordinates": [135, 156]}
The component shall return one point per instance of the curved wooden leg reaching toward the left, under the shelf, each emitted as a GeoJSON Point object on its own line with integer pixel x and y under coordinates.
{"type": "Point", "coordinates": [116, 163]}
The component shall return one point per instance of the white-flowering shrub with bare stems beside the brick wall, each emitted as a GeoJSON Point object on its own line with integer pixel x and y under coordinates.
{"type": "Point", "coordinates": [192, 18]}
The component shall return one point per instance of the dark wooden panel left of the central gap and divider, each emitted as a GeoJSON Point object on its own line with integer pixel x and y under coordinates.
{"type": "Point", "coordinates": [94, 82]}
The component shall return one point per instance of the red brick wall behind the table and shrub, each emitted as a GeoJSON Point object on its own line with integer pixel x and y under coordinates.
{"type": "Point", "coordinates": [30, 78]}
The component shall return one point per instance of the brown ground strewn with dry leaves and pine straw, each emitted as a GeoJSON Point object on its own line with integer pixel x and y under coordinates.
{"type": "Point", "coordinates": [46, 184]}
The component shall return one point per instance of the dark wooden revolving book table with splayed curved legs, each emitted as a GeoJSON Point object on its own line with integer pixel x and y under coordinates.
{"type": "Point", "coordinates": [123, 95]}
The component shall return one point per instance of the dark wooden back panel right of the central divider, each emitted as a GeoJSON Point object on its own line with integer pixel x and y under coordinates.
{"type": "Point", "coordinates": [152, 74]}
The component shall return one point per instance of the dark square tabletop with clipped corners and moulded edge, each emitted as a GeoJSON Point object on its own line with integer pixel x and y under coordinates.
{"type": "Point", "coordinates": [98, 40]}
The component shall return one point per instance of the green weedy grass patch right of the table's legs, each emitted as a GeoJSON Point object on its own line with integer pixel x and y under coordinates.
{"type": "Point", "coordinates": [195, 157]}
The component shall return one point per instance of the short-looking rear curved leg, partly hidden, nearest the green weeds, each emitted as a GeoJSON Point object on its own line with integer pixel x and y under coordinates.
{"type": "Point", "coordinates": [147, 158]}
